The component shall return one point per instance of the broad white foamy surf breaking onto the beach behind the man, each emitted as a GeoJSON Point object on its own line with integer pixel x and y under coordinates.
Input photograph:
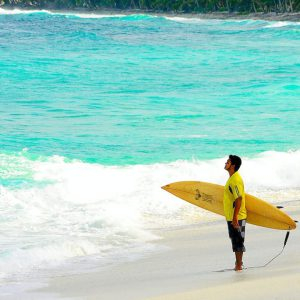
{"type": "Point", "coordinates": [54, 210]}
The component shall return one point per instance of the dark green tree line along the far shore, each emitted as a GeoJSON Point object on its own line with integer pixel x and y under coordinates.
{"type": "Point", "coordinates": [184, 6]}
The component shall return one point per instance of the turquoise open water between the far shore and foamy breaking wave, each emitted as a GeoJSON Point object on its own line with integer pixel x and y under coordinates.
{"type": "Point", "coordinates": [140, 89]}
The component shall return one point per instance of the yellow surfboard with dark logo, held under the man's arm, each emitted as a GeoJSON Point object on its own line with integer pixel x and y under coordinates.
{"type": "Point", "coordinates": [210, 197]}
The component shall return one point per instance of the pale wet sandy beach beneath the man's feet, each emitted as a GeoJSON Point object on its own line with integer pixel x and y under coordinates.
{"type": "Point", "coordinates": [191, 266]}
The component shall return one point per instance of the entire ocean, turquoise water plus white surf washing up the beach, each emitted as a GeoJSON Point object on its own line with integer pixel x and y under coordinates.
{"type": "Point", "coordinates": [99, 111]}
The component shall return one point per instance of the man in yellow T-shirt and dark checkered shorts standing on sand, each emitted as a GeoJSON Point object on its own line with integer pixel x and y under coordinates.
{"type": "Point", "coordinates": [235, 209]}
